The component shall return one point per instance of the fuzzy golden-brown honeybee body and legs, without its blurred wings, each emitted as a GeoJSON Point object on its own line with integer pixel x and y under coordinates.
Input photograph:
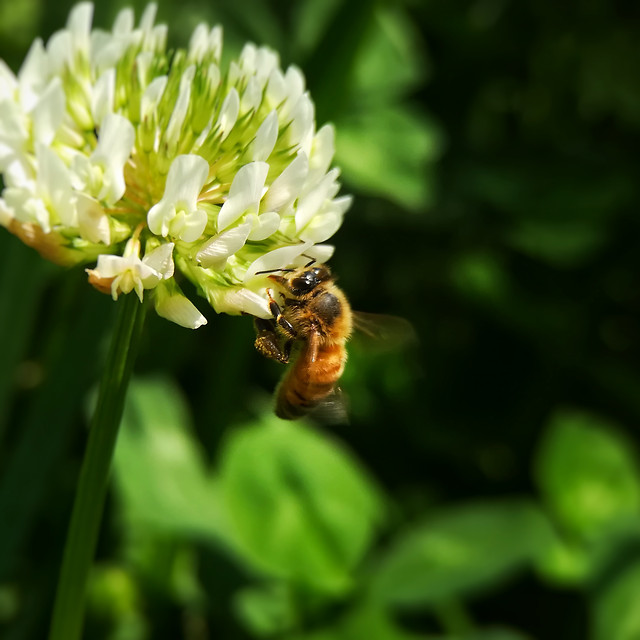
{"type": "Point", "coordinates": [309, 329]}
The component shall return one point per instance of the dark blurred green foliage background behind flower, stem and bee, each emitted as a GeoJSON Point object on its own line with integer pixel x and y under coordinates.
{"type": "Point", "coordinates": [487, 486]}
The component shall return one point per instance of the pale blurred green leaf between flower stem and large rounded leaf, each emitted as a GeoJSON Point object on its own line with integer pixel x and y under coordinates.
{"type": "Point", "coordinates": [159, 467]}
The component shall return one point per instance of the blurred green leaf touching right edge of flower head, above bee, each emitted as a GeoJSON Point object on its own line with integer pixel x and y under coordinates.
{"type": "Point", "coordinates": [387, 151]}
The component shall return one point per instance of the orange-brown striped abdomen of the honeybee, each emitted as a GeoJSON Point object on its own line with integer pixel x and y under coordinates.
{"type": "Point", "coordinates": [310, 380]}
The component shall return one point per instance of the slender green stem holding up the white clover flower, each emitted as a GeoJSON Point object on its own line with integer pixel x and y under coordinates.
{"type": "Point", "coordinates": [68, 612]}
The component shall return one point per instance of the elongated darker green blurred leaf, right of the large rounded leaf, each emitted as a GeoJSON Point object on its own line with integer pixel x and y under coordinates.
{"type": "Point", "coordinates": [458, 550]}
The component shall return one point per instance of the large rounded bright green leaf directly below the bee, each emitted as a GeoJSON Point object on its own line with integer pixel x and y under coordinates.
{"type": "Point", "coordinates": [301, 506]}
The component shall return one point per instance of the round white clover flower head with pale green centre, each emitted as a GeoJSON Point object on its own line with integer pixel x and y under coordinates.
{"type": "Point", "coordinates": [163, 166]}
